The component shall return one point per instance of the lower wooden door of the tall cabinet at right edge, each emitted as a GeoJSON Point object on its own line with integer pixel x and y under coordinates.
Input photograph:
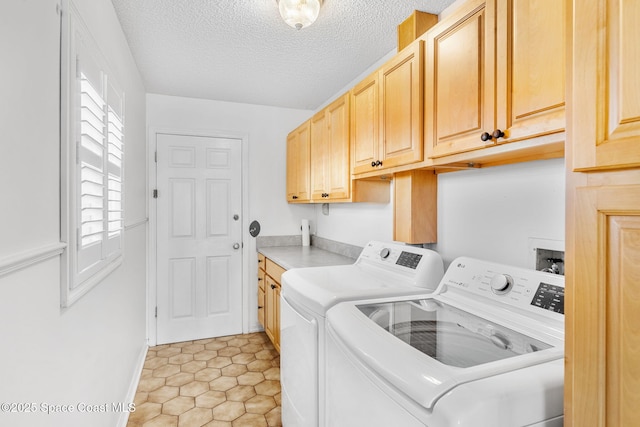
{"type": "Point", "coordinates": [602, 377]}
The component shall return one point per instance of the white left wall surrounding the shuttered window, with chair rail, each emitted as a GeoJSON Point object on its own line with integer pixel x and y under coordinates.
{"type": "Point", "coordinates": [90, 352]}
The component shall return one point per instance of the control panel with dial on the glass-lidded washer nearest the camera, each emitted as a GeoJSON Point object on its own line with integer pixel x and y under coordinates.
{"type": "Point", "coordinates": [530, 290]}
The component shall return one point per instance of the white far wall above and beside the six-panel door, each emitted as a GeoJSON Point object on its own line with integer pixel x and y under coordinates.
{"type": "Point", "coordinates": [266, 129]}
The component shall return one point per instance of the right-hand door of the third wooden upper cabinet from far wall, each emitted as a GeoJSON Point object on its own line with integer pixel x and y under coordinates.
{"type": "Point", "coordinates": [401, 114]}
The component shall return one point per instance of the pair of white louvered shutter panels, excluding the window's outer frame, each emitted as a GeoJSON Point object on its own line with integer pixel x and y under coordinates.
{"type": "Point", "coordinates": [100, 148]}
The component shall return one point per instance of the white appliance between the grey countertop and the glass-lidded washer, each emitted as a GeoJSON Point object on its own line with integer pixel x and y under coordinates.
{"type": "Point", "coordinates": [382, 269]}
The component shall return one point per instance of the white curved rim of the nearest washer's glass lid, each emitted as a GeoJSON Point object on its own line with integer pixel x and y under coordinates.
{"type": "Point", "coordinates": [422, 377]}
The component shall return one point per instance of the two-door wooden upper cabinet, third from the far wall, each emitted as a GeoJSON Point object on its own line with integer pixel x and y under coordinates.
{"type": "Point", "coordinates": [387, 115]}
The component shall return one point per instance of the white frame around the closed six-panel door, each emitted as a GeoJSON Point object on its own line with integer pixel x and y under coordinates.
{"type": "Point", "coordinates": [152, 283]}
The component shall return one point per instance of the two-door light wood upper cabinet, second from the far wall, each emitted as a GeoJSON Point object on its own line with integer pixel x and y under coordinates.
{"type": "Point", "coordinates": [330, 161]}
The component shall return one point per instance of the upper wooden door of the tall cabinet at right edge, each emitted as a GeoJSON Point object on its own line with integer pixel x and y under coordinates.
{"type": "Point", "coordinates": [606, 70]}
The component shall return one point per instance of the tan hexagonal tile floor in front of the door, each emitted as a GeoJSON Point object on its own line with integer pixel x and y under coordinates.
{"type": "Point", "coordinates": [229, 381]}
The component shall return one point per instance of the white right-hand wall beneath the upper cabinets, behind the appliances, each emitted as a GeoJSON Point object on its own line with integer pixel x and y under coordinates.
{"type": "Point", "coordinates": [485, 213]}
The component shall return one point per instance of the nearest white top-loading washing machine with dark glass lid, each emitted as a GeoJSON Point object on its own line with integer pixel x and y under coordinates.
{"type": "Point", "coordinates": [485, 349]}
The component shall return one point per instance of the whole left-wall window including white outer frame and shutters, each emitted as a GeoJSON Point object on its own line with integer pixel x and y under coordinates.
{"type": "Point", "coordinates": [92, 164]}
